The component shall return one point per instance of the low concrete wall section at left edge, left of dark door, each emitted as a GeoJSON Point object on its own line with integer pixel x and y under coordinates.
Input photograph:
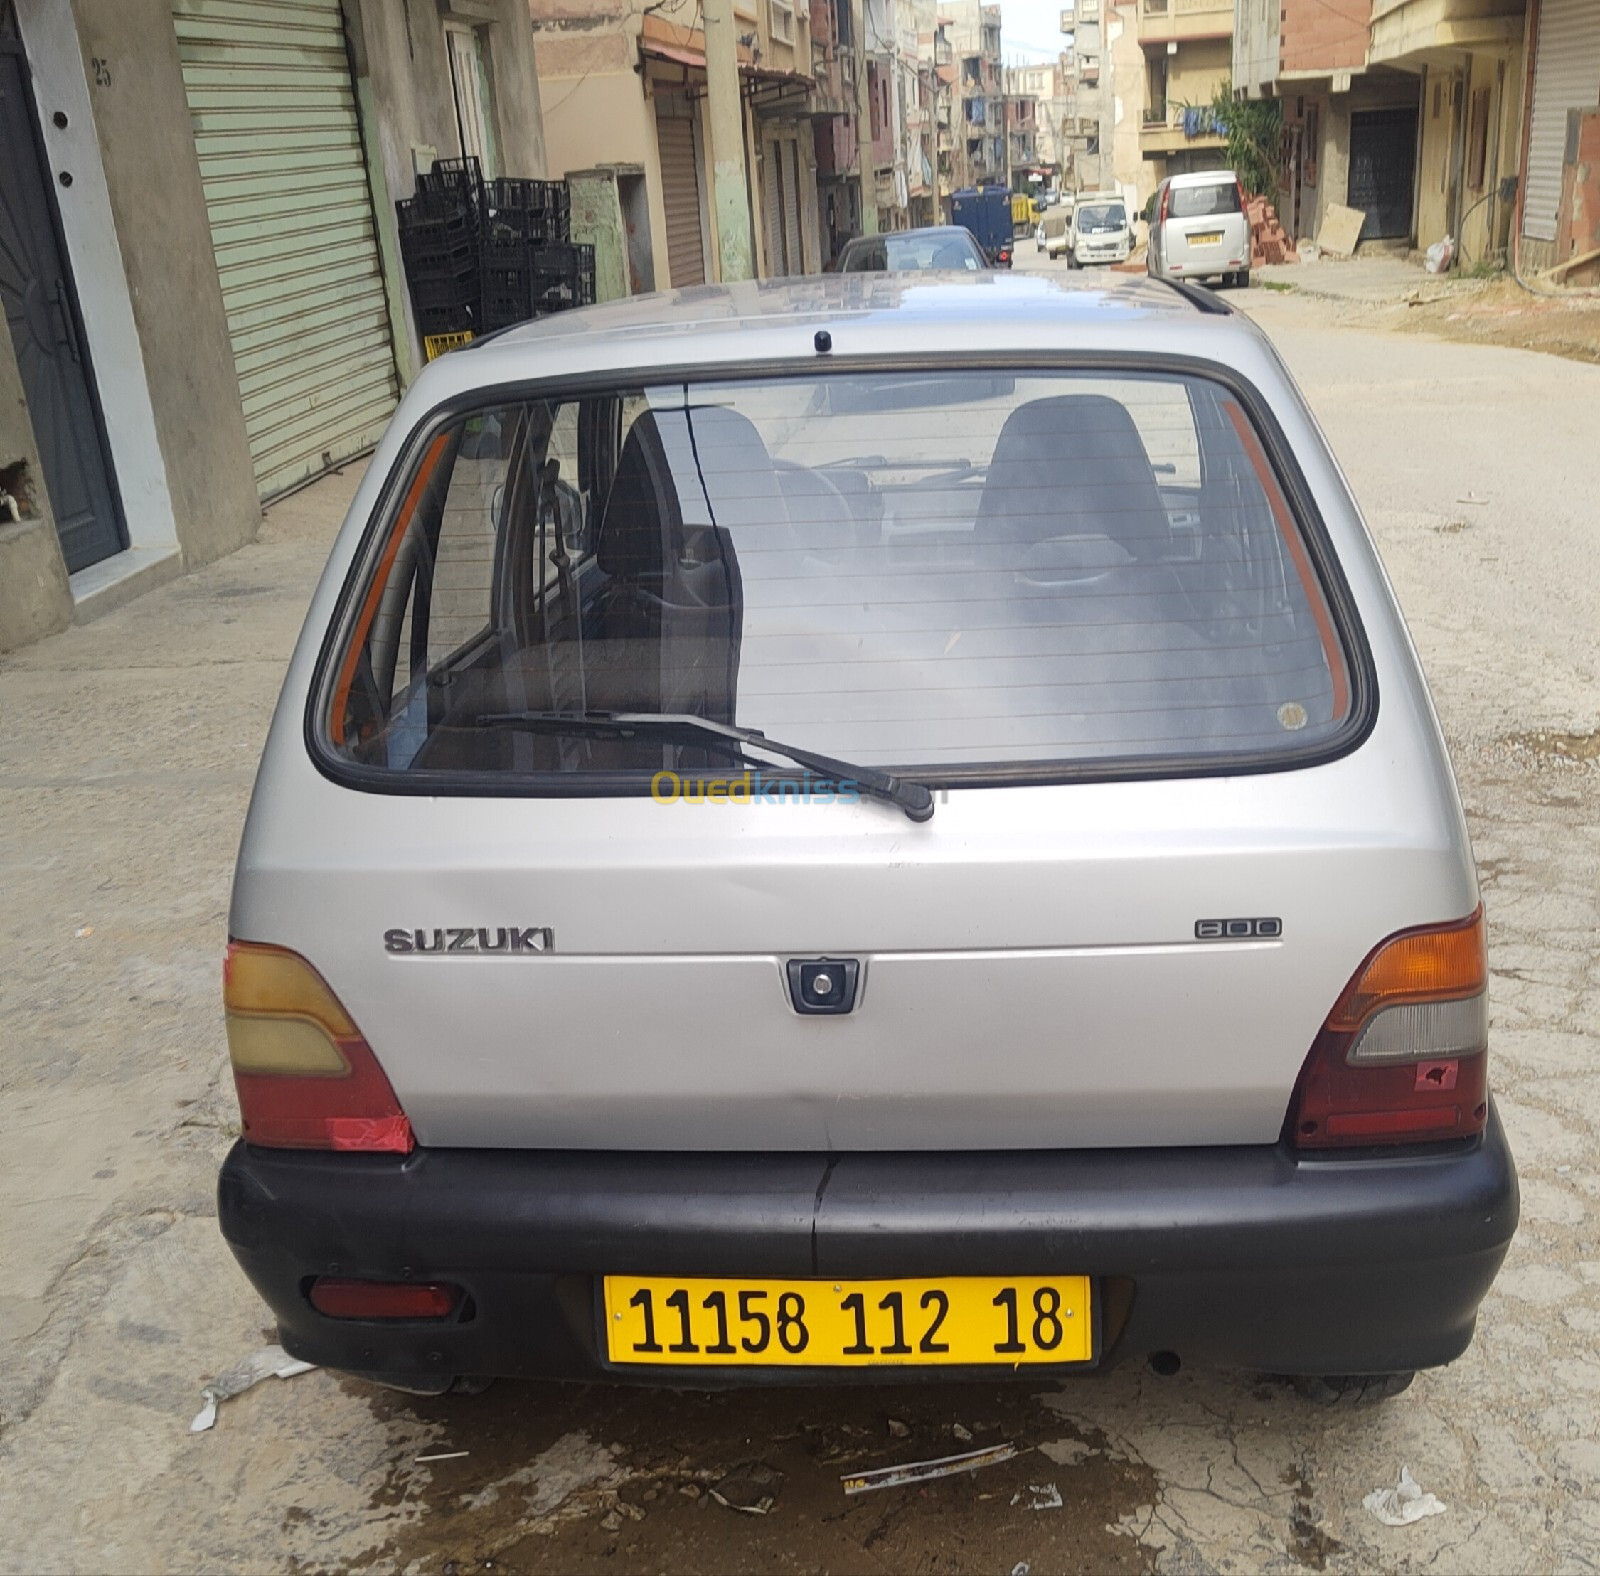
{"type": "Point", "coordinates": [34, 596]}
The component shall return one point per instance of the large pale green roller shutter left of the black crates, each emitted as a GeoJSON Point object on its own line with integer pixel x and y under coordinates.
{"type": "Point", "coordinates": [292, 226]}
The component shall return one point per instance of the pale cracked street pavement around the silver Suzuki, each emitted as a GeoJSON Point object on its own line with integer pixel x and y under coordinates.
{"type": "Point", "coordinates": [126, 762]}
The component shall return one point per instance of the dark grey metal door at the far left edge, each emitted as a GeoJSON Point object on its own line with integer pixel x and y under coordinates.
{"type": "Point", "coordinates": [50, 350]}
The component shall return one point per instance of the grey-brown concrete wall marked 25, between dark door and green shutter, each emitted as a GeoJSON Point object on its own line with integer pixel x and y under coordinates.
{"type": "Point", "coordinates": [153, 175]}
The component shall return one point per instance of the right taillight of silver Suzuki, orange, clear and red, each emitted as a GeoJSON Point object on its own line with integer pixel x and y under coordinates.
{"type": "Point", "coordinates": [1404, 1055]}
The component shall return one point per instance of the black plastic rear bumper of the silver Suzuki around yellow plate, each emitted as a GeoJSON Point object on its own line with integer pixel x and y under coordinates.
{"type": "Point", "coordinates": [1238, 1257]}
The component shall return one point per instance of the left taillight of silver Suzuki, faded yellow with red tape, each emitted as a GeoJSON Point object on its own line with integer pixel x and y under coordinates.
{"type": "Point", "coordinates": [306, 1079]}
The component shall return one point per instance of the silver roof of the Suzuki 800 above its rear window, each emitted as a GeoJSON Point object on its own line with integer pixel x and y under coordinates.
{"type": "Point", "coordinates": [881, 316]}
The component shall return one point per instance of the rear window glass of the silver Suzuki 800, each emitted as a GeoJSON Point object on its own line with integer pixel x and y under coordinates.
{"type": "Point", "coordinates": [953, 574]}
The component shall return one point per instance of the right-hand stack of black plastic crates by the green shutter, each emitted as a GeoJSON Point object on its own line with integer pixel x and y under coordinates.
{"type": "Point", "coordinates": [530, 265]}
